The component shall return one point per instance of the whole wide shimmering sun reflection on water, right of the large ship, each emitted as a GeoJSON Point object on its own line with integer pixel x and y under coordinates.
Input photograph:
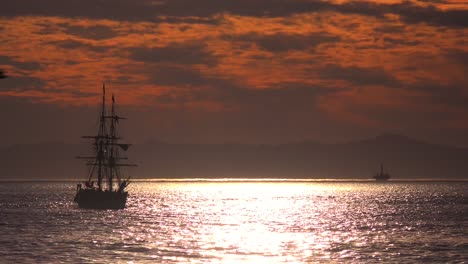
{"type": "Point", "coordinates": [284, 222]}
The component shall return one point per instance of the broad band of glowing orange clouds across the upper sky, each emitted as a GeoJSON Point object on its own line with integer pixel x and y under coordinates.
{"type": "Point", "coordinates": [352, 59]}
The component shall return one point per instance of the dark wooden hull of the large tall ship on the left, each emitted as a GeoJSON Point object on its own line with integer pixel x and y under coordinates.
{"type": "Point", "coordinates": [97, 199]}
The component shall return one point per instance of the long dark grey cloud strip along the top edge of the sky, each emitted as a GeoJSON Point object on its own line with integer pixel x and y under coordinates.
{"type": "Point", "coordinates": [147, 10]}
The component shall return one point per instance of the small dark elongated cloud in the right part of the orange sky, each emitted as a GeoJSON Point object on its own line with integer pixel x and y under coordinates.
{"type": "Point", "coordinates": [359, 76]}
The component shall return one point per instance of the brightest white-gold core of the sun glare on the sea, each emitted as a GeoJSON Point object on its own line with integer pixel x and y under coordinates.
{"type": "Point", "coordinates": [253, 221]}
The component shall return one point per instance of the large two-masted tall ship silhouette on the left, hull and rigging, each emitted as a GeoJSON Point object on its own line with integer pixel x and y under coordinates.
{"type": "Point", "coordinates": [105, 186]}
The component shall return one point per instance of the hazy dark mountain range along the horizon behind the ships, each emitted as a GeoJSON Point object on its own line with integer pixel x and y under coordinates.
{"type": "Point", "coordinates": [403, 158]}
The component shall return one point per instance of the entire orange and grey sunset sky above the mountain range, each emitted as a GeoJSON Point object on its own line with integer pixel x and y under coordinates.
{"type": "Point", "coordinates": [253, 71]}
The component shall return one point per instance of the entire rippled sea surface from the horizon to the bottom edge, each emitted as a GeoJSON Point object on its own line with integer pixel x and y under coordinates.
{"type": "Point", "coordinates": [239, 222]}
